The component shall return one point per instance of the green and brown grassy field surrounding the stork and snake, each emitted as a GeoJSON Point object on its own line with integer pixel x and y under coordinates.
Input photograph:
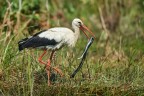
{"type": "Point", "coordinates": [114, 64]}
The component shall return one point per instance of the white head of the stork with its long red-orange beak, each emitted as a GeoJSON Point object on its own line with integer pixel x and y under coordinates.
{"type": "Point", "coordinates": [77, 23]}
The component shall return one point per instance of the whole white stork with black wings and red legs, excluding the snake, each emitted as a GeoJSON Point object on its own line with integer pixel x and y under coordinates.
{"type": "Point", "coordinates": [53, 39]}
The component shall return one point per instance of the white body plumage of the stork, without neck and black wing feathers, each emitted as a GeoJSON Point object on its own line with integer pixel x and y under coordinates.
{"type": "Point", "coordinates": [62, 35]}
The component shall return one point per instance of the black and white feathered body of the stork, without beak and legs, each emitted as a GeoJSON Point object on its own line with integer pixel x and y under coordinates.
{"type": "Point", "coordinates": [53, 38]}
